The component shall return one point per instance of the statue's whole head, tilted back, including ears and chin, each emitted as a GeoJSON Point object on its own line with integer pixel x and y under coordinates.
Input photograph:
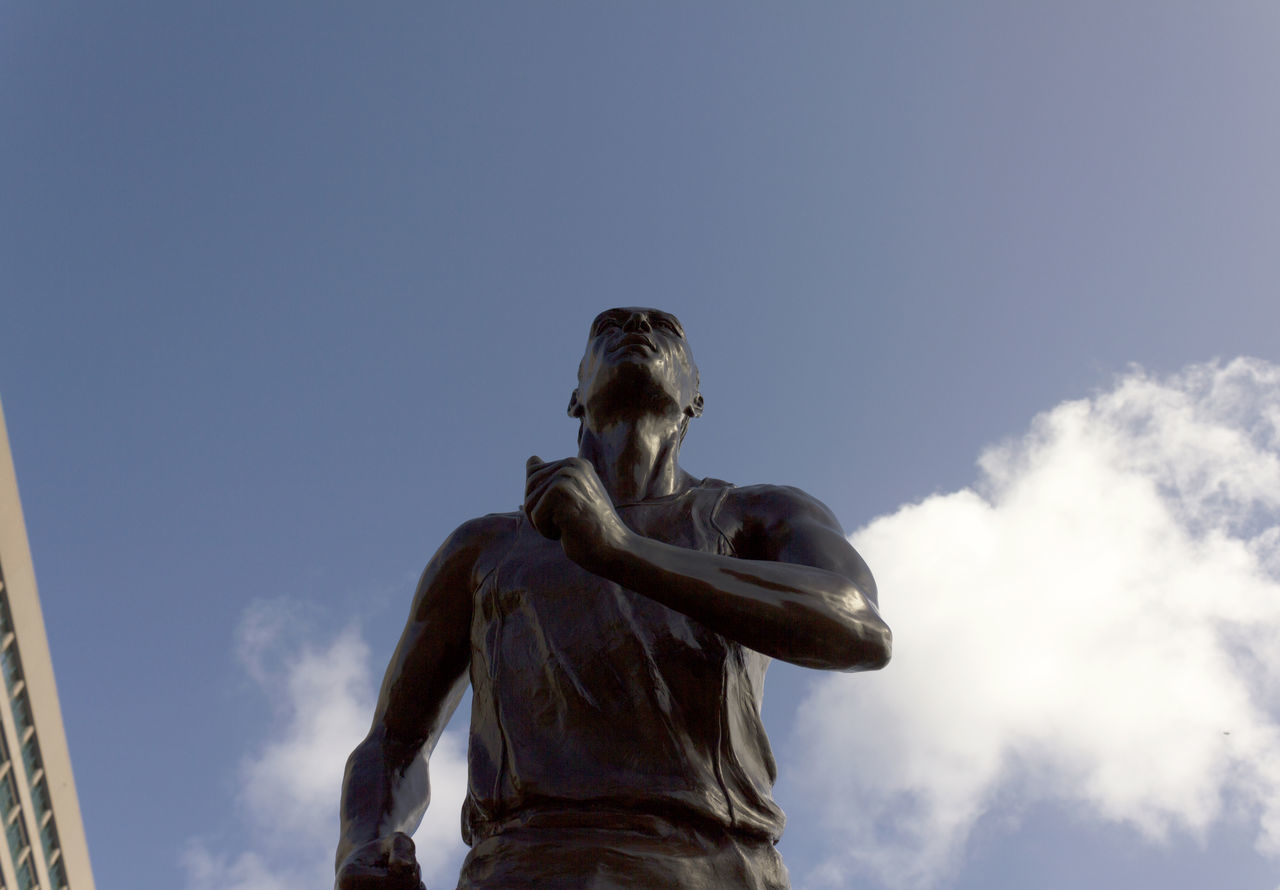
{"type": "Point", "coordinates": [637, 359]}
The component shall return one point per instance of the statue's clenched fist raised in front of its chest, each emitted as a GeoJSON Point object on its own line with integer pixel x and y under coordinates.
{"type": "Point", "coordinates": [566, 501]}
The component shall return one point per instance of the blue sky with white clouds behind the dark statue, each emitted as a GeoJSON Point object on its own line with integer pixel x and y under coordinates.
{"type": "Point", "coordinates": [290, 291]}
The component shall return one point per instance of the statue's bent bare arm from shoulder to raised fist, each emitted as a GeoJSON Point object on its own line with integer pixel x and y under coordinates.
{"type": "Point", "coordinates": [798, 592]}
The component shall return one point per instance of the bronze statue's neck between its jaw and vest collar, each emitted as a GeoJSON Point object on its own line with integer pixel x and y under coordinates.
{"type": "Point", "coordinates": [637, 459]}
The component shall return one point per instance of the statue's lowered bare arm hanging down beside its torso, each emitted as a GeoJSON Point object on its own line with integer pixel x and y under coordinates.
{"type": "Point", "coordinates": [386, 789]}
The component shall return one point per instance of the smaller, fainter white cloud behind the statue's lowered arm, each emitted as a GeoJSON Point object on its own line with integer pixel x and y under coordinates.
{"type": "Point", "coordinates": [324, 695]}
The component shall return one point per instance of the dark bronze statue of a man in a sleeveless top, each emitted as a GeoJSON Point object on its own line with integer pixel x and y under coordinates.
{"type": "Point", "coordinates": [616, 636]}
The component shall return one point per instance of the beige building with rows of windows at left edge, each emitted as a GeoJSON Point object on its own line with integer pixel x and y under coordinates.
{"type": "Point", "coordinates": [43, 842]}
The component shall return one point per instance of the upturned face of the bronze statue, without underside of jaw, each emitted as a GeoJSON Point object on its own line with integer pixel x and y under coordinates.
{"type": "Point", "coordinates": [644, 348]}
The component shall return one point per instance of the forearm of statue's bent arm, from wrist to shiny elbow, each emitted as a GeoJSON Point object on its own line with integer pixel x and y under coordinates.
{"type": "Point", "coordinates": [799, 614]}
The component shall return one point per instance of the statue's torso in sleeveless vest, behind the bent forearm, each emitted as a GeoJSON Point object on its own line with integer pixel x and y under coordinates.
{"type": "Point", "coordinates": [591, 700]}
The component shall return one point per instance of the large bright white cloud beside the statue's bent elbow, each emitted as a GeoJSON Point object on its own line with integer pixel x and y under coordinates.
{"type": "Point", "coordinates": [1095, 624]}
